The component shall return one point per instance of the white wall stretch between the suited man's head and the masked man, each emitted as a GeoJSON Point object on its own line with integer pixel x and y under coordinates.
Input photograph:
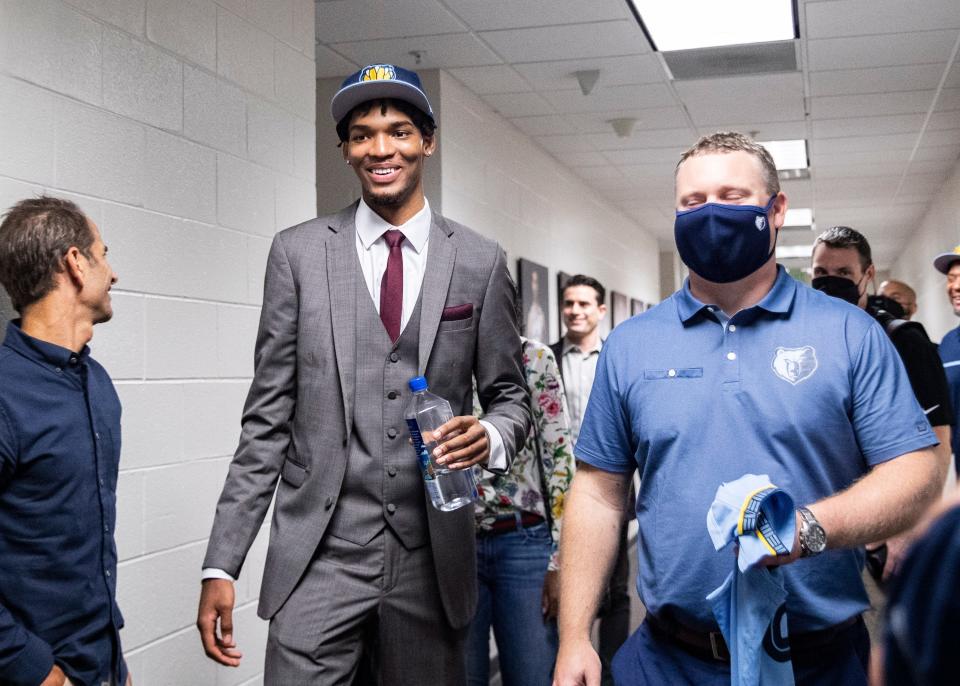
{"type": "Point", "coordinates": [498, 181]}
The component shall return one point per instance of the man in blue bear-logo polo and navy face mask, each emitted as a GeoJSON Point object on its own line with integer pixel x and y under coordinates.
{"type": "Point", "coordinates": [741, 371]}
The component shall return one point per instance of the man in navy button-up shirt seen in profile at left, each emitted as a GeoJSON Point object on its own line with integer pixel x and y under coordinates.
{"type": "Point", "coordinates": [59, 454]}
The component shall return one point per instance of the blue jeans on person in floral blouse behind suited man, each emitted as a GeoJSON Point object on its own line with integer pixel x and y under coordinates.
{"type": "Point", "coordinates": [510, 571]}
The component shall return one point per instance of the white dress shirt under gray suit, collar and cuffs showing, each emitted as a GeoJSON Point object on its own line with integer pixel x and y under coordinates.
{"type": "Point", "coordinates": [373, 252]}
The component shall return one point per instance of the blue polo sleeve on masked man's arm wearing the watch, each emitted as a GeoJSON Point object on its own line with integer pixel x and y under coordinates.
{"type": "Point", "coordinates": [887, 419]}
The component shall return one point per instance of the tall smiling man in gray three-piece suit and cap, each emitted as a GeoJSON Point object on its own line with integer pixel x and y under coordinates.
{"type": "Point", "coordinates": [355, 304]}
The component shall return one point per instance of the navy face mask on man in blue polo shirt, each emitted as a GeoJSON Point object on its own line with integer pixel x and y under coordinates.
{"type": "Point", "coordinates": [724, 243]}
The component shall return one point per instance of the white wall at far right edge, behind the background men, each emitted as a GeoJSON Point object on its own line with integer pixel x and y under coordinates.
{"type": "Point", "coordinates": [938, 231]}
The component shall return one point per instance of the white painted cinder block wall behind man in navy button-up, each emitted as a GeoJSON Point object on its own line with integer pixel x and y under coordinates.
{"type": "Point", "coordinates": [185, 129]}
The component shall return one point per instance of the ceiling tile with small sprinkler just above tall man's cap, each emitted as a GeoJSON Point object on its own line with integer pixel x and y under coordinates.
{"type": "Point", "coordinates": [443, 51]}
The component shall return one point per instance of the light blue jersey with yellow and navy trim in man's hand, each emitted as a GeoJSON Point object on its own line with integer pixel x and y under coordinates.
{"type": "Point", "coordinates": [750, 605]}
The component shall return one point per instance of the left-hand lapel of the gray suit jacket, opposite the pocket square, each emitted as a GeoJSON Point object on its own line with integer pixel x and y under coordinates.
{"type": "Point", "coordinates": [342, 270]}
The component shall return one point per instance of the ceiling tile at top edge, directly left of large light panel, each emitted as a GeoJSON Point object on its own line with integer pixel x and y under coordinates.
{"type": "Point", "coordinates": [509, 14]}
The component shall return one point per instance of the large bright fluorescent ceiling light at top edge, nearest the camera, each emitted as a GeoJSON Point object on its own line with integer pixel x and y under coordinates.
{"type": "Point", "coordinates": [689, 24]}
